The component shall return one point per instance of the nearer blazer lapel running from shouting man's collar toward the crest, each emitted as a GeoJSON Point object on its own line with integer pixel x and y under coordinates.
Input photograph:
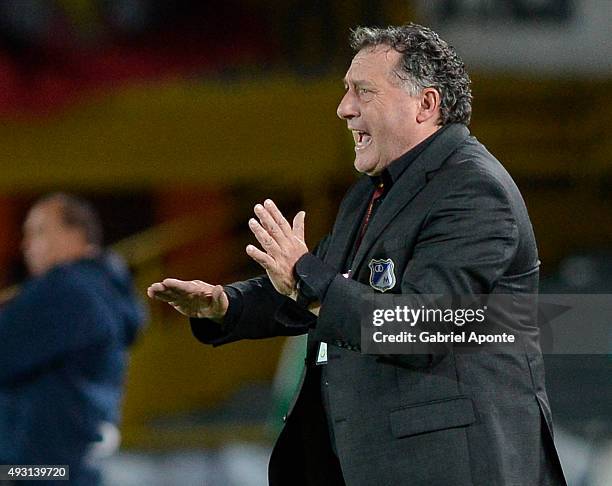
{"type": "Point", "coordinates": [409, 184]}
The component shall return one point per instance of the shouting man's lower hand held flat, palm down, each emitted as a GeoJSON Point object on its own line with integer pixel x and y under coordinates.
{"type": "Point", "coordinates": [192, 298]}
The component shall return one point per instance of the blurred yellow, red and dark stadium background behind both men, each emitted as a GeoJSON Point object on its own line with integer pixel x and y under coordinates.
{"type": "Point", "coordinates": [175, 117]}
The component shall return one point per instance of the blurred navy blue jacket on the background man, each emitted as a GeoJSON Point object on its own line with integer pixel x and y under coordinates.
{"type": "Point", "coordinates": [63, 344]}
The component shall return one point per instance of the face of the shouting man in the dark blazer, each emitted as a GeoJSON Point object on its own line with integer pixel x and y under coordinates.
{"type": "Point", "coordinates": [378, 109]}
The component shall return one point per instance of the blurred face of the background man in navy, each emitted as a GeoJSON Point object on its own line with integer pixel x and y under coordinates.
{"type": "Point", "coordinates": [48, 241]}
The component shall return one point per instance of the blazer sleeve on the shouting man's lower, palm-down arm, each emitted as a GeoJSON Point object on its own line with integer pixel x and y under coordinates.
{"type": "Point", "coordinates": [256, 311]}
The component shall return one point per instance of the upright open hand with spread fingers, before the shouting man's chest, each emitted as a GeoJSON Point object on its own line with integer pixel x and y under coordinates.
{"type": "Point", "coordinates": [283, 245]}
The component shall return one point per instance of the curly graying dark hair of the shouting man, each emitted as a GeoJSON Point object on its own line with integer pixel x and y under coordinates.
{"type": "Point", "coordinates": [427, 62]}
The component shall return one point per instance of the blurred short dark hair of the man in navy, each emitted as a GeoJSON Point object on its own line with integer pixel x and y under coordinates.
{"type": "Point", "coordinates": [78, 213]}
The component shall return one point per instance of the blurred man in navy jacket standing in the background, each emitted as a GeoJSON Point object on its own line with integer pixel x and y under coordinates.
{"type": "Point", "coordinates": [63, 343]}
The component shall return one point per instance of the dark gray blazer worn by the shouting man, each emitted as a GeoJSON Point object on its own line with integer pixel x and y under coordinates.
{"type": "Point", "coordinates": [454, 223]}
